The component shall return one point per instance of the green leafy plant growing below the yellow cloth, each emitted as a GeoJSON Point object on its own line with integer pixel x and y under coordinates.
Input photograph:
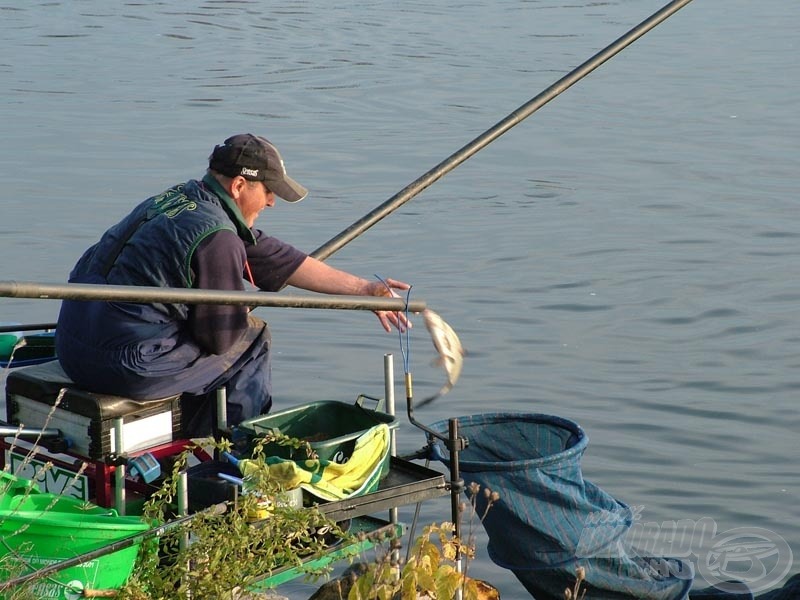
{"type": "Point", "coordinates": [215, 554]}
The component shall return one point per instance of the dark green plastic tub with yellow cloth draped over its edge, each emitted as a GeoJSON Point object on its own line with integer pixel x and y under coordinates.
{"type": "Point", "coordinates": [330, 427]}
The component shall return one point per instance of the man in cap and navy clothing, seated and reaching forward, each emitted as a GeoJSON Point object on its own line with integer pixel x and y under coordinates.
{"type": "Point", "coordinates": [198, 234]}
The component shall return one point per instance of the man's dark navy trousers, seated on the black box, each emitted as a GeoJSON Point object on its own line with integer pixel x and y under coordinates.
{"type": "Point", "coordinates": [164, 362]}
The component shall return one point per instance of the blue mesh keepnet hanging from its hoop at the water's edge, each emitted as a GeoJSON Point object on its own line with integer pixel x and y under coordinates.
{"type": "Point", "coordinates": [549, 520]}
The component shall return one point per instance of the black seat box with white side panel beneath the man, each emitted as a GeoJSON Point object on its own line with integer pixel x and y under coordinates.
{"type": "Point", "coordinates": [43, 396]}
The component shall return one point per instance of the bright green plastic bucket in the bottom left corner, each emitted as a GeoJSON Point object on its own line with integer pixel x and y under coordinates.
{"type": "Point", "coordinates": [40, 529]}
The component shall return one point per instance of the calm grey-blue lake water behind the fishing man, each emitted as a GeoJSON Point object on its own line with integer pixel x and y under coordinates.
{"type": "Point", "coordinates": [628, 257]}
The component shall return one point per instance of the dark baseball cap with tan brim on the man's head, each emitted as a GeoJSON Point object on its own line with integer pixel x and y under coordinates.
{"type": "Point", "coordinates": [256, 159]}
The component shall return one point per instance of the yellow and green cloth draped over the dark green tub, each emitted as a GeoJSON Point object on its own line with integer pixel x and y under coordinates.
{"type": "Point", "coordinates": [326, 479]}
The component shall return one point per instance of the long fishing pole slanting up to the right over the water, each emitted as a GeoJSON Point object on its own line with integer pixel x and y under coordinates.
{"type": "Point", "coordinates": [487, 137]}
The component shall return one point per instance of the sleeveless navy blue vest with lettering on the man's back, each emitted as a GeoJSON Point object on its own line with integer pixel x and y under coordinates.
{"type": "Point", "coordinates": [154, 244]}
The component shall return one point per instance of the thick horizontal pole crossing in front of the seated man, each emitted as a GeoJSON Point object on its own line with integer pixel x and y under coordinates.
{"type": "Point", "coordinates": [144, 294]}
